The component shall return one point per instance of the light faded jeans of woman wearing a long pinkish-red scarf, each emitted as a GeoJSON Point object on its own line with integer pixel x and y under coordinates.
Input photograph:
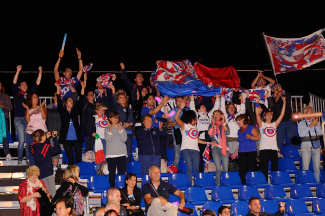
{"type": "Point", "coordinates": [217, 158]}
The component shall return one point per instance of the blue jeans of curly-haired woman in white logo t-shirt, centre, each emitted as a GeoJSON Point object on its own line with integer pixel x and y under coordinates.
{"type": "Point", "coordinates": [192, 161]}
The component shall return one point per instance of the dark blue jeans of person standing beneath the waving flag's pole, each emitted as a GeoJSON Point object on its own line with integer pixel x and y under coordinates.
{"type": "Point", "coordinates": [285, 128]}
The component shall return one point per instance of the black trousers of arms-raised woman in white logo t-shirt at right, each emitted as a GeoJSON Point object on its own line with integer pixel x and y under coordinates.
{"type": "Point", "coordinates": [265, 156]}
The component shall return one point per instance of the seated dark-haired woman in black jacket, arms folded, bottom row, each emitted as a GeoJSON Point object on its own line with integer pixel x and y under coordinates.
{"type": "Point", "coordinates": [131, 195]}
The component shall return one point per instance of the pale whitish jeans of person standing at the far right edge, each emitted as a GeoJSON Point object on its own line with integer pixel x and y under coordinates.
{"type": "Point", "coordinates": [307, 151]}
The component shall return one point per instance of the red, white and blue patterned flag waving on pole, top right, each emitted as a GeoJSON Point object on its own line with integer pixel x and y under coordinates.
{"type": "Point", "coordinates": [290, 54]}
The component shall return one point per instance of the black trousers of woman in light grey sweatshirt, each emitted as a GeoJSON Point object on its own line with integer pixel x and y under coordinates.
{"type": "Point", "coordinates": [112, 163]}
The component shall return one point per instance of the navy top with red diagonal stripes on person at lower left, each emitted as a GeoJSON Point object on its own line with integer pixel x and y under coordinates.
{"type": "Point", "coordinates": [43, 153]}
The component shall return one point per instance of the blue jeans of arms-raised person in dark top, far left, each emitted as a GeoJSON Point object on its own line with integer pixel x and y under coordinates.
{"type": "Point", "coordinates": [20, 125]}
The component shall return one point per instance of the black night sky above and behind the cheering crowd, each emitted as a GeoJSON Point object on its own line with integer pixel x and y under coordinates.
{"type": "Point", "coordinates": [221, 33]}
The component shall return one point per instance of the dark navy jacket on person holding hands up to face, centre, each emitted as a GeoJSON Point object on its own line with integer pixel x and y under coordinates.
{"type": "Point", "coordinates": [149, 140]}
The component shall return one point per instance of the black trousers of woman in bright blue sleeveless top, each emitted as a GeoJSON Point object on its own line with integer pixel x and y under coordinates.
{"type": "Point", "coordinates": [247, 161]}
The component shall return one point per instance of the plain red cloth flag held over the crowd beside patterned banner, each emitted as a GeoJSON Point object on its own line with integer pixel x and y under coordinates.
{"type": "Point", "coordinates": [218, 77]}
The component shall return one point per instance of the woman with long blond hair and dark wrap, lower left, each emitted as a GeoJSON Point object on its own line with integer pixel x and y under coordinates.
{"type": "Point", "coordinates": [72, 189]}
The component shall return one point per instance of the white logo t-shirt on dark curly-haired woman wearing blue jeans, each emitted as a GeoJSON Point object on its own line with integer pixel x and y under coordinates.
{"type": "Point", "coordinates": [190, 138]}
